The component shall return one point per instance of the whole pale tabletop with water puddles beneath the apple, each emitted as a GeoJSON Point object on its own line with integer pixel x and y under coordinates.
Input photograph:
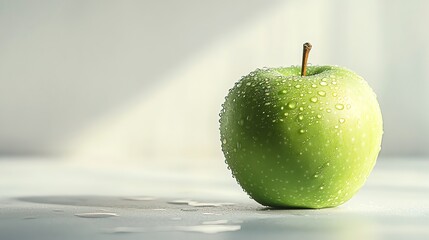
{"type": "Point", "coordinates": [45, 199]}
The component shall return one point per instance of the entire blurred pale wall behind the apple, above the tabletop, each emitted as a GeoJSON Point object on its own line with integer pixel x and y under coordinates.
{"type": "Point", "coordinates": [142, 80]}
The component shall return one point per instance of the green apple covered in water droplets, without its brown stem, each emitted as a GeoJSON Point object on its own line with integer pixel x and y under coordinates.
{"type": "Point", "coordinates": [301, 142]}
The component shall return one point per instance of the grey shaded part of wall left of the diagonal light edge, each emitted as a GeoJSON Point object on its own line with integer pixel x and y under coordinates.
{"type": "Point", "coordinates": [66, 64]}
